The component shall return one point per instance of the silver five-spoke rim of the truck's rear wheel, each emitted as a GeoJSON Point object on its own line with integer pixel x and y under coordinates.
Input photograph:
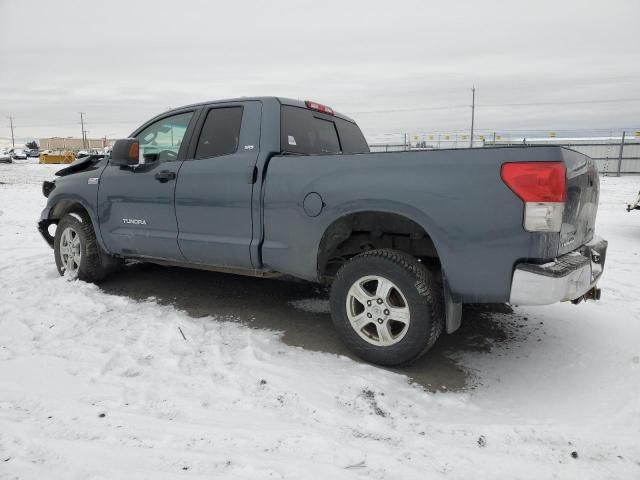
{"type": "Point", "coordinates": [378, 310]}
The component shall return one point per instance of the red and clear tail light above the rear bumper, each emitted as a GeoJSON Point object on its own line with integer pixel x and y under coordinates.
{"type": "Point", "coordinates": [542, 186]}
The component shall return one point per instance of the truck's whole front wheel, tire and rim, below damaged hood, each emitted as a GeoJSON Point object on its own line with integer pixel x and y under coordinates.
{"type": "Point", "coordinates": [77, 252]}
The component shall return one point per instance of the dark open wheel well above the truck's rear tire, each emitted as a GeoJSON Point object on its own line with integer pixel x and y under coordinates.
{"type": "Point", "coordinates": [359, 232]}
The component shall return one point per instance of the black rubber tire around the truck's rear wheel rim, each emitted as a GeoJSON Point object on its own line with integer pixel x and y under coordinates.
{"type": "Point", "coordinates": [422, 293]}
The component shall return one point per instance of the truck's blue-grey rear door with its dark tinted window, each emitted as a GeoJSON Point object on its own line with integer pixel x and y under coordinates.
{"type": "Point", "coordinates": [215, 185]}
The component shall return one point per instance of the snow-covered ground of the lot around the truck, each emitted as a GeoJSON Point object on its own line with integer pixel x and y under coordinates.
{"type": "Point", "coordinates": [96, 386]}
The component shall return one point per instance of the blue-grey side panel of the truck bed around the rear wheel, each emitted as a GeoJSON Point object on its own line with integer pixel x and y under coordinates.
{"type": "Point", "coordinates": [457, 196]}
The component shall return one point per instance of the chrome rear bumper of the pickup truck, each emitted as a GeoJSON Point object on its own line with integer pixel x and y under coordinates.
{"type": "Point", "coordinates": [568, 277]}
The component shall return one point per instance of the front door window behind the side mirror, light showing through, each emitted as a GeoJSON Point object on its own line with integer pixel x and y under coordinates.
{"type": "Point", "coordinates": [160, 141]}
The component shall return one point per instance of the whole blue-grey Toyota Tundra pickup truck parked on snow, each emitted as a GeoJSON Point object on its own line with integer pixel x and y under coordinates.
{"type": "Point", "coordinates": [271, 186]}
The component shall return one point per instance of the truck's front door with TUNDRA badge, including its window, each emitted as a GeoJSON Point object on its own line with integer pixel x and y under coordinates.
{"type": "Point", "coordinates": [136, 207]}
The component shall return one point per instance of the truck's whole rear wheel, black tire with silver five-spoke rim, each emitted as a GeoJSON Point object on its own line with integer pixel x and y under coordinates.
{"type": "Point", "coordinates": [387, 306]}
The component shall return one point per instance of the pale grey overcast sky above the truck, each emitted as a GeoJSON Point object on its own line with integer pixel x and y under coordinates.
{"type": "Point", "coordinates": [395, 66]}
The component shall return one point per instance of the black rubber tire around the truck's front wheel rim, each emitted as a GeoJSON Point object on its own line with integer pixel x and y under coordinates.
{"type": "Point", "coordinates": [94, 264]}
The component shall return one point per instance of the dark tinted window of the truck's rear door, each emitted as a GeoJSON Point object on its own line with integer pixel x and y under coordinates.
{"type": "Point", "coordinates": [220, 133]}
